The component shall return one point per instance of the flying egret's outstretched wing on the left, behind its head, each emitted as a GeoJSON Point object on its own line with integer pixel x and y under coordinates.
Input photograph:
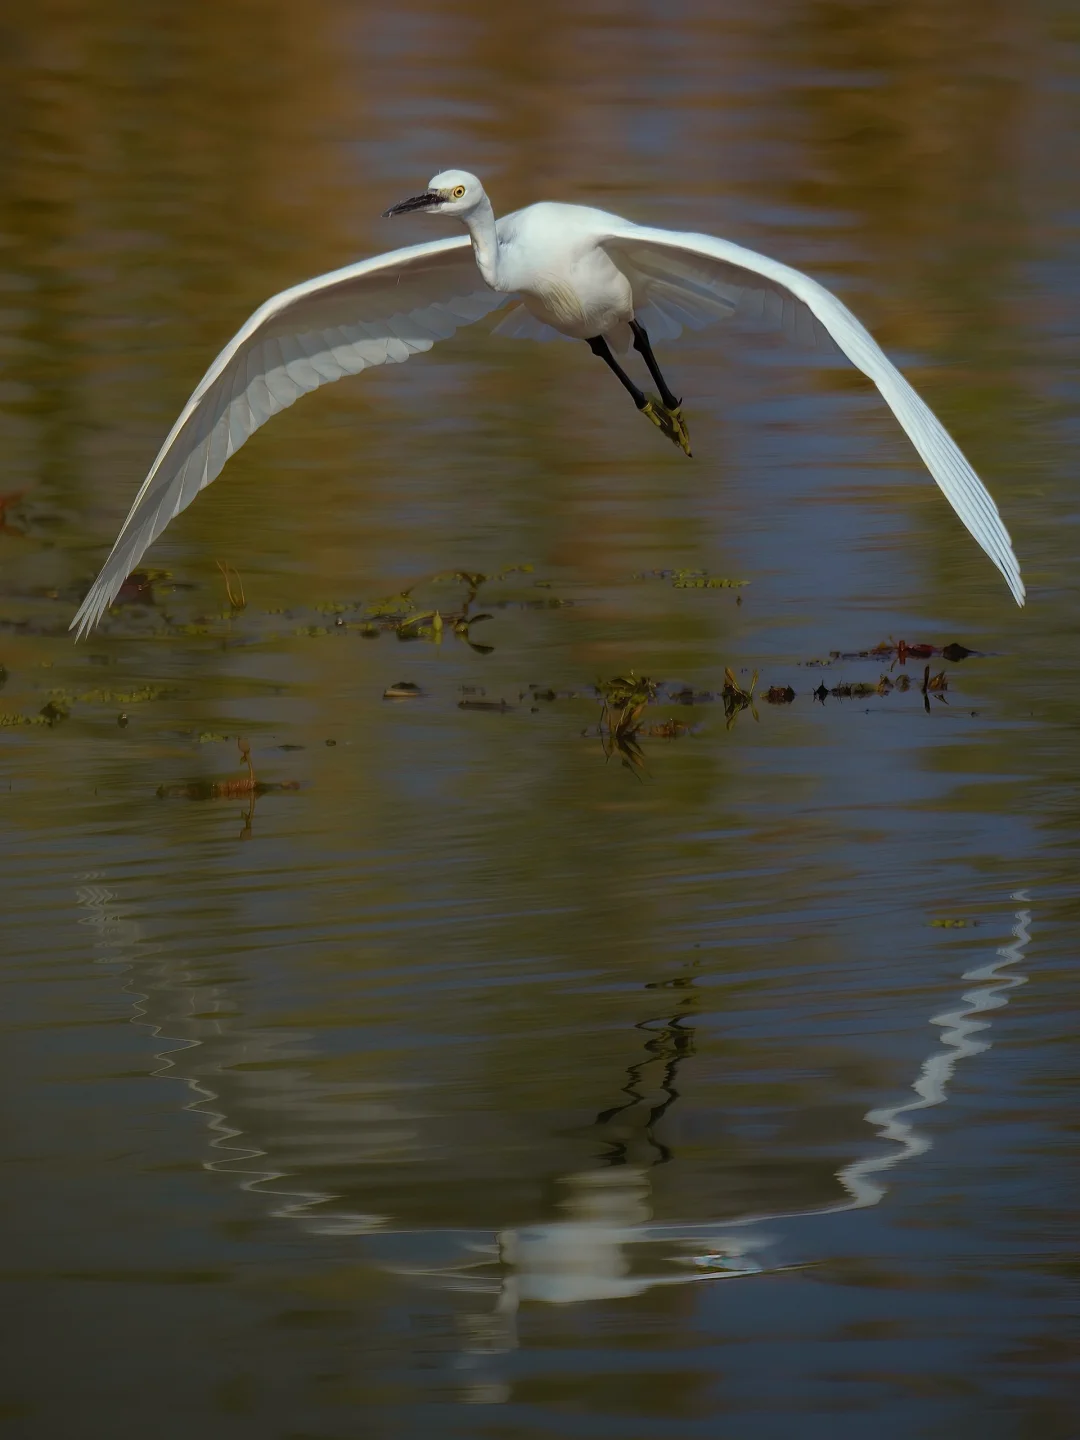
{"type": "Point", "coordinates": [378, 312]}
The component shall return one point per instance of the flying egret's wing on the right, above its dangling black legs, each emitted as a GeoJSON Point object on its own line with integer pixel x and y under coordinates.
{"type": "Point", "coordinates": [698, 279]}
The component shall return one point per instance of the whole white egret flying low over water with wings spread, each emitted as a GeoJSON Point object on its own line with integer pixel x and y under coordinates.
{"type": "Point", "coordinates": [575, 273]}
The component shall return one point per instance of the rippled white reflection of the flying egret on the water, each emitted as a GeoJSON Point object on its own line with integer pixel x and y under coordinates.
{"type": "Point", "coordinates": [607, 1246]}
